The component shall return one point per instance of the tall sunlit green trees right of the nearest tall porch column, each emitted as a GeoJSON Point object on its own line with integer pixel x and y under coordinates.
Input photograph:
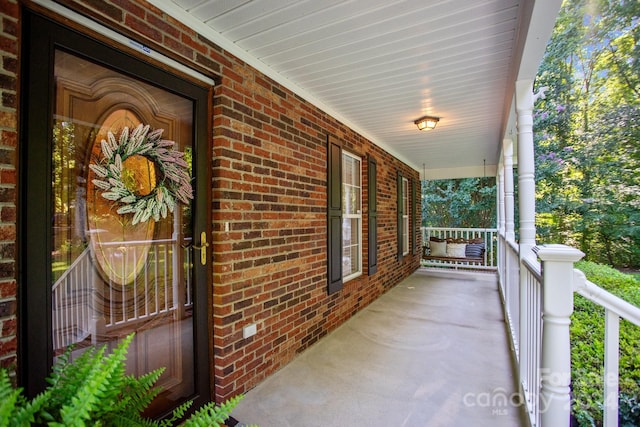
{"type": "Point", "coordinates": [587, 132]}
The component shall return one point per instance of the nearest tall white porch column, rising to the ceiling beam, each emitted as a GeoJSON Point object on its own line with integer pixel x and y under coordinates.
{"type": "Point", "coordinates": [526, 166]}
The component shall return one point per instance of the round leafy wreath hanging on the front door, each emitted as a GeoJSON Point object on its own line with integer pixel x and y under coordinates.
{"type": "Point", "coordinates": [121, 183]}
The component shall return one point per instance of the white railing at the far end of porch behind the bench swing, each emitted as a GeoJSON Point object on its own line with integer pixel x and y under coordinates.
{"type": "Point", "coordinates": [487, 235]}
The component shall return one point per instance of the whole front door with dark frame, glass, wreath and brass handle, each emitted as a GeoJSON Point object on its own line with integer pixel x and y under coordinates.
{"type": "Point", "coordinates": [113, 209]}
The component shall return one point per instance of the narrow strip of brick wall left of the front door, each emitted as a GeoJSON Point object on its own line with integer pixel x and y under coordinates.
{"type": "Point", "coordinates": [9, 30]}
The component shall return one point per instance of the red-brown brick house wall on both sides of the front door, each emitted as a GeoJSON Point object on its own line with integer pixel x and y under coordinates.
{"type": "Point", "coordinates": [268, 204]}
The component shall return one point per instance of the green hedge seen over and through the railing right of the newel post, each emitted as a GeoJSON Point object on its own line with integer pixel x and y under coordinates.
{"type": "Point", "coordinates": [587, 352]}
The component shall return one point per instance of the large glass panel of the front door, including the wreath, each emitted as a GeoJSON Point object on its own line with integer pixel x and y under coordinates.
{"type": "Point", "coordinates": [121, 219]}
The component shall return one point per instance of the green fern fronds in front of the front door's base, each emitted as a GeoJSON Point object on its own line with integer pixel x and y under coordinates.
{"type": "Point", "coordinates": [94, 389]}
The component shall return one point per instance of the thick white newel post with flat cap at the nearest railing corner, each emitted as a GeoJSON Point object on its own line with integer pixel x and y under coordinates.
{"type": "Point", "coordinates": [555, 367]}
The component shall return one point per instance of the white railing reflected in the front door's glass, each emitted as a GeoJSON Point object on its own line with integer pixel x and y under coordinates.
{"type": "Point", "coordinates": [85, 306]}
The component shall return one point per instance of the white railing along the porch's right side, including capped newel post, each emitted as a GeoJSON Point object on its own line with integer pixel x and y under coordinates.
{"type": "Point", "coordinates": [538, 303]}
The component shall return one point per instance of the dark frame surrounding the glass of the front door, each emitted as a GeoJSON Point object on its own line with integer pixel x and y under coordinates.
{"type": "Point", "coordinates": [41, 37]}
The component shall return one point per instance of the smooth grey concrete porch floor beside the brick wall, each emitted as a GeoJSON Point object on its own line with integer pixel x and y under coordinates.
{"type": "Point", "coordinates": [433, 351]}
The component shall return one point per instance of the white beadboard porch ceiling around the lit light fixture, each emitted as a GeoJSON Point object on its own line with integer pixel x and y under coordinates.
{"type": "Point", "coordinates": [378, 65]}
